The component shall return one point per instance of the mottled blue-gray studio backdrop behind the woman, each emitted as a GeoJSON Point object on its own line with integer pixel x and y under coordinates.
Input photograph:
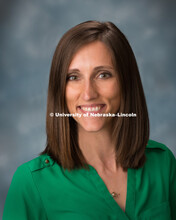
{"type": "Point", "coordinates": [30, 31]}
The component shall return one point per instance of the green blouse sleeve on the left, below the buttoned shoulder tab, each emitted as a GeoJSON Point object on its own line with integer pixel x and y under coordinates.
{"type": "Point", "coordinates": [23, 200]}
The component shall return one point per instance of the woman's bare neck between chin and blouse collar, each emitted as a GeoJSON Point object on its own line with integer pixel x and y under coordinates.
{"type": "Point", "coordinates": [98, 149]}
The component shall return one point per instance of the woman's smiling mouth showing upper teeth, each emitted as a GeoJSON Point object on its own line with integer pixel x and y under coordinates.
{"type": "Point", "coordinates": [94, 108]}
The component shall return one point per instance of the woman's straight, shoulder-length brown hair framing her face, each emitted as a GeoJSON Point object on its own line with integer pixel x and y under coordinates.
{"type": "Point", "coordinates": [132, 133]}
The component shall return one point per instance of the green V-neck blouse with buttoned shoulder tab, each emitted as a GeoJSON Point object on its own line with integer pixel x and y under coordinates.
{"type": "Point", "coordinates": [41, 189]}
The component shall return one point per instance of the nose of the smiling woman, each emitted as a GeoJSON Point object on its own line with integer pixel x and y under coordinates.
{"type": "Point", "coordinates": [89, 90]}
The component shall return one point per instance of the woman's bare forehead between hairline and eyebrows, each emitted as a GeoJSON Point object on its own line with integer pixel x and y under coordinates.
{"type": "Point", "coordinates": [92, 54]}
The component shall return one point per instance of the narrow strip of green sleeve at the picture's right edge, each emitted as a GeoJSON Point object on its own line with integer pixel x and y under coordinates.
{"type": "Point", "coordinates": [172, 183]}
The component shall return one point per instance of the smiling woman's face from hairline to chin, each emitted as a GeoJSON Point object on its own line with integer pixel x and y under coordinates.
{"type": "Point", "coordinates": [89, 87]}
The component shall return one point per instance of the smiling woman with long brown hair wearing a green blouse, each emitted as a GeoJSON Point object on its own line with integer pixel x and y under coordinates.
{"type": "Point", "coordinates": [95, 167]}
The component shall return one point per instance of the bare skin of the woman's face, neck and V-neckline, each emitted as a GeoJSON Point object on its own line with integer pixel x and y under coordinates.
{"type": "Point", "coordinates": [92, 79]}
